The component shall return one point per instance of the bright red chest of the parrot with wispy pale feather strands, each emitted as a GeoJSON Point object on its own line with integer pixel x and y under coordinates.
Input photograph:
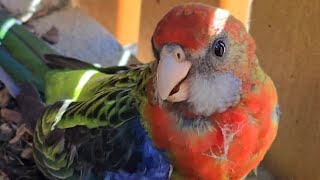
{"type": "Point", "coordinates": [232, 144]}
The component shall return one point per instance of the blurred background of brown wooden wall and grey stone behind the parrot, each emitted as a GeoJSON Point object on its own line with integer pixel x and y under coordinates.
{"type": "Point", "coordinates": [287, 34]}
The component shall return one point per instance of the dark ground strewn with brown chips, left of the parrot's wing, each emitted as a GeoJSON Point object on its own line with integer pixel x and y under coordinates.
{"type": "Point", "coordinates": [16, 160]}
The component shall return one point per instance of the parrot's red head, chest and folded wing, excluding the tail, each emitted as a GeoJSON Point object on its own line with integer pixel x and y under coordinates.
{"type": "Point", "coordinates": [203, 109]}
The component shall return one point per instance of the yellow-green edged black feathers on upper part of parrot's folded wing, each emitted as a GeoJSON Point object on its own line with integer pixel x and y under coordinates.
{"type": "Point", "coordinates": [105, 101]}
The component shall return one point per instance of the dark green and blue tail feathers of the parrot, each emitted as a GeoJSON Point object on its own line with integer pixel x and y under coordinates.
{"type": "Point", "coordinates": [20, 53]}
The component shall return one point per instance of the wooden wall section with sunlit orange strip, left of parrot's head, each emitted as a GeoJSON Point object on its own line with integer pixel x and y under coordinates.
{"type": "Point", "coordinates": [120, 17]}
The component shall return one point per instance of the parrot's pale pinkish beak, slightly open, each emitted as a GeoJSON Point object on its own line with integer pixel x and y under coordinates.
{"type": "Point", "coordinates": [171, 73]}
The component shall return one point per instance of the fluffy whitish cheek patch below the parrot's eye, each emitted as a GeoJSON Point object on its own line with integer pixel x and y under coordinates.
{"type": "Point", "coordinates": [214, 94]}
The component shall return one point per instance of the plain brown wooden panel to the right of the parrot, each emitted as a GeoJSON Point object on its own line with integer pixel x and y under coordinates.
{"type": "Point", "coordinates": [287, 34]}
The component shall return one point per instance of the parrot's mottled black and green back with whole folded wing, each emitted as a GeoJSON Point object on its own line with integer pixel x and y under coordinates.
{"type": "Point", "coordinates": [77, 139]}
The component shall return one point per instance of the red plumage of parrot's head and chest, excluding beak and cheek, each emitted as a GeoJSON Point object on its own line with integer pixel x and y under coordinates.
{"type": "Point", "coordinates": [239, 136]}
